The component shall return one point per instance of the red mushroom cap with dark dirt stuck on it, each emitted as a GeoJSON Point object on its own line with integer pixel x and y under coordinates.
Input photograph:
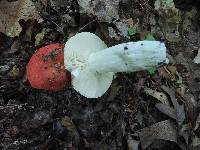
{"type": "Point", "coordinates": [46, 70]}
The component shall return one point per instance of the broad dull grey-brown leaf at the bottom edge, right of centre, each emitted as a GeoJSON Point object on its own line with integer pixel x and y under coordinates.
{"type": "Point", "coordinates": [164, 130]}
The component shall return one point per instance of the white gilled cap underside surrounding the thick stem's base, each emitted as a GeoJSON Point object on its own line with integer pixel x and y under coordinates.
{"type": "Point", "coordinates": [76, 53]}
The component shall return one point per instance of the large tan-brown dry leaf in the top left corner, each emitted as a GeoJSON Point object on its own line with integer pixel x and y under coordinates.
{"type": "Point", "coordinates": [12, 12]}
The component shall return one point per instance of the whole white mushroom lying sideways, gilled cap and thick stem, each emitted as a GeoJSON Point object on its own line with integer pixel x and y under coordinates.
{"type": "Point", "coordinates": [93, 65]}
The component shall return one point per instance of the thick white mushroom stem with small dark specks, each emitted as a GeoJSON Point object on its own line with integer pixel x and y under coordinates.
{"type": "Point", "coordinates": [128, 57]}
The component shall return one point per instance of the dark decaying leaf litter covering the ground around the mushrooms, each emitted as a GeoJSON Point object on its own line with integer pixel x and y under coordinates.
{"type": "Point", "coordinates": [143, 110]}
